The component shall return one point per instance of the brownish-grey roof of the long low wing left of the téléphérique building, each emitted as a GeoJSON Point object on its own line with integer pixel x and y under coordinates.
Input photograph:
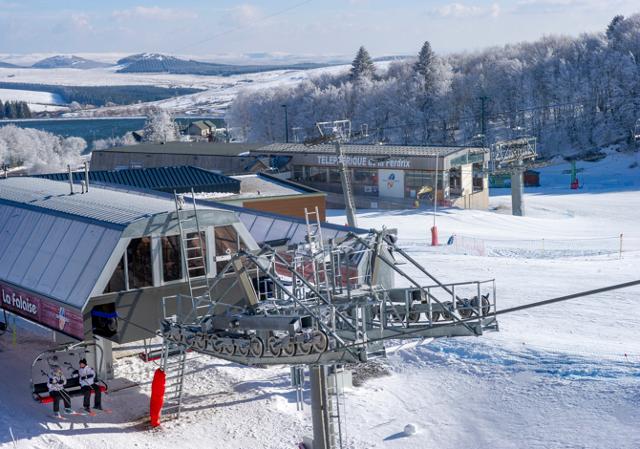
{"type": "Point", "coordinates": [187, 148]}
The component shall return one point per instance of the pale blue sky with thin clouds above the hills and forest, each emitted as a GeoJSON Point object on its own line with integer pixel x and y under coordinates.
{"type": "Point", "coordinates": [300, 27]}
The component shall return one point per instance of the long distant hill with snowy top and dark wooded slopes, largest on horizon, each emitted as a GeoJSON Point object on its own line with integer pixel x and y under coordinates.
{"type": "Point", "coordinates": [158, 63]}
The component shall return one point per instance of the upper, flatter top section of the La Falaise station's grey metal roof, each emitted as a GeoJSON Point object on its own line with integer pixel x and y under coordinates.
{"type": "Point", "coordinates": [107, 206]}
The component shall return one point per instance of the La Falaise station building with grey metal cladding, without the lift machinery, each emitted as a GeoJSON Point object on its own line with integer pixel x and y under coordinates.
{"type": "Point", "coordinates": [97, 263]}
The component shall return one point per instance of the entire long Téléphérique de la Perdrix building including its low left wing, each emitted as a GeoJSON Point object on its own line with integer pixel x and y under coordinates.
{"type": "Point", "coordinates": [382, 176]}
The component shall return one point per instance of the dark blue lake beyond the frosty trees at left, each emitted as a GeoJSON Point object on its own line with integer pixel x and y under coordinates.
{"type": "Point", "coordinates": [91, 129]}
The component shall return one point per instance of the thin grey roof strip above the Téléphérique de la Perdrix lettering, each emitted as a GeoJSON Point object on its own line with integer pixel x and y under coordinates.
{"type": "Point", "coordinates": [372, 150]}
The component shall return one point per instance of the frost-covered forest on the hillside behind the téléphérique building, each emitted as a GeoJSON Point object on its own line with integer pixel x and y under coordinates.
{"type": "Point", "coordinates": [572, 93]}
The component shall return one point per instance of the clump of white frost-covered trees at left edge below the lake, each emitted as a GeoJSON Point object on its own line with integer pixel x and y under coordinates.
{"type": "Point", "coordinates": [39, 151]}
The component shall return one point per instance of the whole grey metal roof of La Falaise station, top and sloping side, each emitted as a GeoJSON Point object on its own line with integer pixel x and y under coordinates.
{"type": "Point", "coordinates": [56, 244]}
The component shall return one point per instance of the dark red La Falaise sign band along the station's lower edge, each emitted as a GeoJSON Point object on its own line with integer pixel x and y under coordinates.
{"type": "Point", "coordinates": [42, 311]}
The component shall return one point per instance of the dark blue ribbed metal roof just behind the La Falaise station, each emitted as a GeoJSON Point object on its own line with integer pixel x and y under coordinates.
{"type": "Point", "coordinates": [167, 179]}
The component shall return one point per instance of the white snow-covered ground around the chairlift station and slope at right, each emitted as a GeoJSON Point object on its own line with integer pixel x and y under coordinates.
{"type": "Point", "coordinates": [560, 376]}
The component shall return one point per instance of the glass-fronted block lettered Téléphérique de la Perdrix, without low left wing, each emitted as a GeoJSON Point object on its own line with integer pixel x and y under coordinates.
{"type": "Point", "coordinates": [392, 176]}
